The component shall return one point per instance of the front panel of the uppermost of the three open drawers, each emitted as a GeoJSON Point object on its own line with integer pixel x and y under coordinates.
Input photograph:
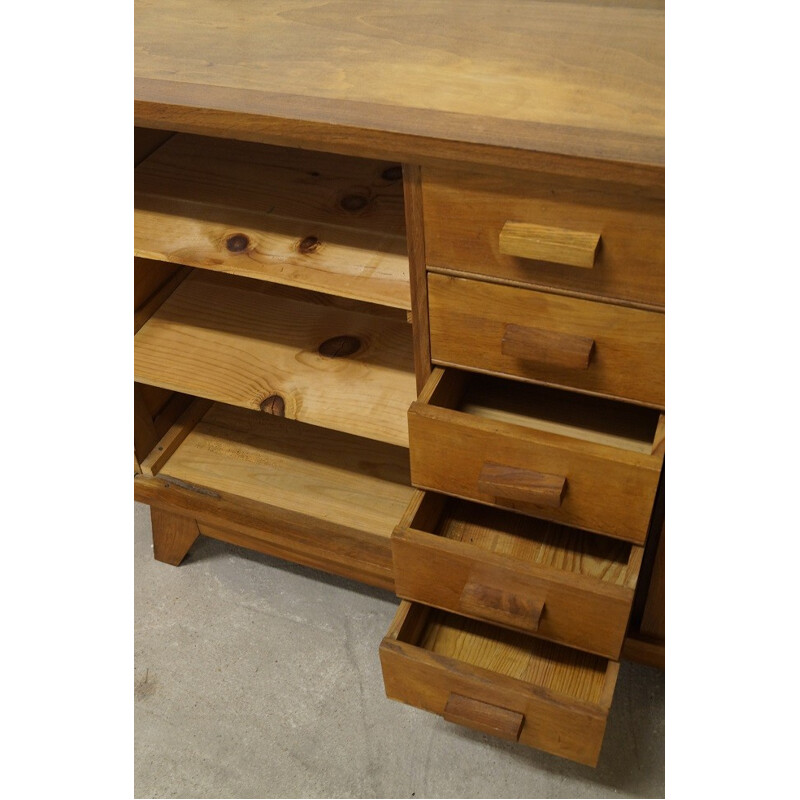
{"type": "Point", "coordinates": [576, 482]}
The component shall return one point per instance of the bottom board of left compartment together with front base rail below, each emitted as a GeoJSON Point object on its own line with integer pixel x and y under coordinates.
{"type": "Point", "coordinates": [313, 496]}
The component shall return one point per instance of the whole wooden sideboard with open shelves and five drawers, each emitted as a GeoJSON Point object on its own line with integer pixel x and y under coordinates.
{"type": "Point", "coordinates": [399, 316]}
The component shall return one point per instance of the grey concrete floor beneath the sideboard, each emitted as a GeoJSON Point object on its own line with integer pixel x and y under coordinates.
{"type": "Point", "coordinates": [255, 678]}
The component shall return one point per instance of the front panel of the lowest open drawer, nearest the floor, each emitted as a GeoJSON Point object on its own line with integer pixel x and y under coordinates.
{"type": "Point", "coordinates": [510, 708]}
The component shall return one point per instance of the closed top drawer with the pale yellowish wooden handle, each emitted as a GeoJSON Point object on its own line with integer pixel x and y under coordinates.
{"type": "Point", "coordinates": [577, 236]}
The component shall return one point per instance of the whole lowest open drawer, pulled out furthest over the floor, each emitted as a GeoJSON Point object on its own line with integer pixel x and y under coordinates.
{"type": "Point", "coordinates": [499, 682]}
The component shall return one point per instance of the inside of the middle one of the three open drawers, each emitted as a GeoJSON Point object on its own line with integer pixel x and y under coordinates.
{"type": "Point", "coordinates": [527, 540]}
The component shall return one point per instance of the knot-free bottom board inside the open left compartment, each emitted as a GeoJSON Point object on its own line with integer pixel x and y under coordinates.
{"type": "Point", "coordinates": [297, 467]}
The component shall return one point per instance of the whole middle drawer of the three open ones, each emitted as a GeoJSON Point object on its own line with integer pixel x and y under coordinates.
{"type": "Point", "coordinates": [524, 574]}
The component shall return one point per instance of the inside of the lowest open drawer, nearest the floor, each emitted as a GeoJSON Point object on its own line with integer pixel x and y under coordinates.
{"type": "Point", "coordinates": [561, 670]}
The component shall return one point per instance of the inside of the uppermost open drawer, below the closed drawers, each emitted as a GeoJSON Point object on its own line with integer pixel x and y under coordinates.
{"type": "Point", "coordinates": [592, 419]}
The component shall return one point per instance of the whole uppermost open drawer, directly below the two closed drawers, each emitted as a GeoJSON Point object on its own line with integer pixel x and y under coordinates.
{"type": "Point", "coordinates": [584, 461]}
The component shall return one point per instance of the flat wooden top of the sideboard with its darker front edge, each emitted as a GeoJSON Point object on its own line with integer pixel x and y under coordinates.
{"type": "Point", "coordinates": [582, 79]}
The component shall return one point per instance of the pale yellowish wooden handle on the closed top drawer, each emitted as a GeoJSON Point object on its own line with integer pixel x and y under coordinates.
{"type": "Point", "coordinates": [543, 243]}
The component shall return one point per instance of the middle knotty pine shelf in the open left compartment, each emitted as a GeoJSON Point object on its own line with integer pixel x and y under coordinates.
{"type": "Point", "coordinates": [233, 341]}
